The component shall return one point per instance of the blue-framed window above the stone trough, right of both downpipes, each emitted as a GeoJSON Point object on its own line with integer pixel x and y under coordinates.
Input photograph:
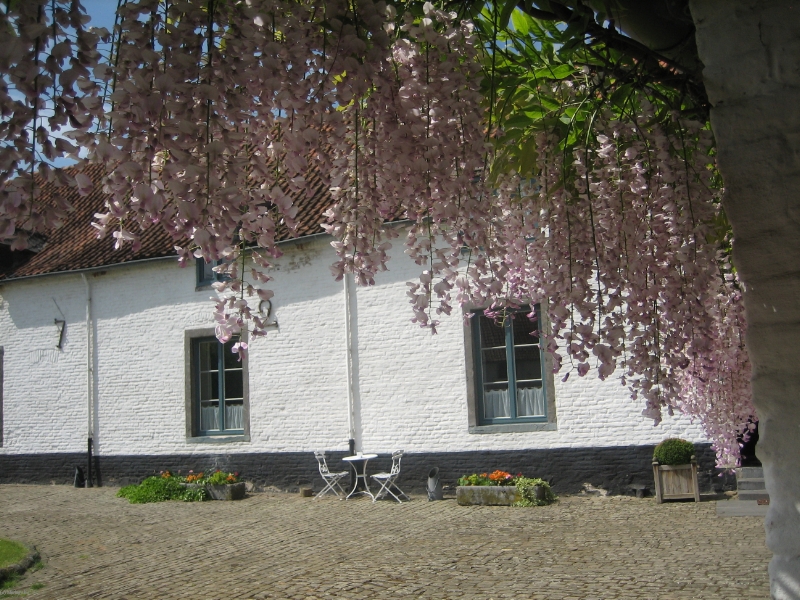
{"type": "Point", "coordinates": [509, 368]}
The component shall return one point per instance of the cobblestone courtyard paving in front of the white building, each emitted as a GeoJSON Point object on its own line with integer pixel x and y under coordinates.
{"type": "Point", "coordinates": [274, 545]}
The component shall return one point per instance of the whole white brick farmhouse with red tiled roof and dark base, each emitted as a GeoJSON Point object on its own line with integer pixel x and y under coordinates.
{"type": "Point", "coordinates": [112, 352]}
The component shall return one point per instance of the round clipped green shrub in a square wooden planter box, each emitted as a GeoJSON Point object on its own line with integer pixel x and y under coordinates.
{"type": "Point", "coordinates": [675, 470]}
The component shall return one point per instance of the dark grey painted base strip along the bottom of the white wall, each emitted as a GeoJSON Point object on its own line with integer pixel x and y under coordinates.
{"type": "Point", "coordinates": [567, 469]}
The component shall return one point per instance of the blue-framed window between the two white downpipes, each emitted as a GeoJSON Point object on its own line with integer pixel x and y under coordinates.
{"type": "Point", "coordinates": [218, 387]}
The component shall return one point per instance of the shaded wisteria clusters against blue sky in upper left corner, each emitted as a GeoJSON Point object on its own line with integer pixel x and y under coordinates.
{"type": "Point", "coordinates": [50, 71]}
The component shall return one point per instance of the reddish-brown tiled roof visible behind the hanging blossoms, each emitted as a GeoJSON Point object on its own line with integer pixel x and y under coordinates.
{"type": "Point", "coordinates": [75, 246]}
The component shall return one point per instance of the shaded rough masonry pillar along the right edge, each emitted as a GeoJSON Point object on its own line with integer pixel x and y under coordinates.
{"type": "Point", "coordinates": [751, 53]}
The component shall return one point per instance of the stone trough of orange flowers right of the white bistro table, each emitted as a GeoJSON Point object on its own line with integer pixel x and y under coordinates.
{"type": "Point", "coordinates": [501, 488]}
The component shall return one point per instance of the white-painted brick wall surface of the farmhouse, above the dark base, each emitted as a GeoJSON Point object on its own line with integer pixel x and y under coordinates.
{"type": "Point", "coordinates": [410, 391]}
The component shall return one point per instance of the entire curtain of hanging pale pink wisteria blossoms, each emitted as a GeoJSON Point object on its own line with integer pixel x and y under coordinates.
{"type": "Point", "coordinates": [211, 118]}
